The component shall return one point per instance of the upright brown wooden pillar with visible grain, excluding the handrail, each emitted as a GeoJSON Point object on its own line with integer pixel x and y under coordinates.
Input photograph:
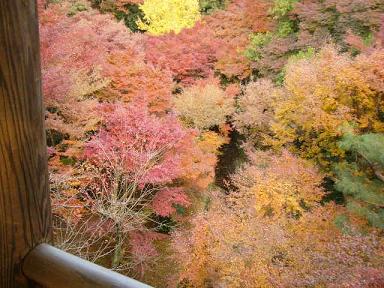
{"type": "Point", "coordinates": [25, 218]}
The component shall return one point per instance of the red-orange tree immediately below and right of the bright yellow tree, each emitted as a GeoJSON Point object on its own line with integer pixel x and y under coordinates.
{"type": "Point", "coordinates": [215, 42]}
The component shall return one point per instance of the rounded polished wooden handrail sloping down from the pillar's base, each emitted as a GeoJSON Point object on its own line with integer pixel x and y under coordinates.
{"type": "Point", "coordinates": [53, 268]}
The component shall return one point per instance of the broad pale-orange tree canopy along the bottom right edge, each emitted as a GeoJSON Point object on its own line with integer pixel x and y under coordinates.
{"type": "Point", "coordinates": [232, 246]}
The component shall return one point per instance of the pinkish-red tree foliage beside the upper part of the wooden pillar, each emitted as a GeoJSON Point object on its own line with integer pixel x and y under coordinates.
{"type": "Point", "coordinates": [78, 43]}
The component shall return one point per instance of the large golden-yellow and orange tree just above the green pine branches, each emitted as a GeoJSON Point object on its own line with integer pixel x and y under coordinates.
{"type": "Point", "coordinates": [322, 94]}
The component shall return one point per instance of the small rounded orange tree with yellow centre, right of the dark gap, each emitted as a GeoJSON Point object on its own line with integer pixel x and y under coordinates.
{"type": "Point", "coordinates": [278, 185]}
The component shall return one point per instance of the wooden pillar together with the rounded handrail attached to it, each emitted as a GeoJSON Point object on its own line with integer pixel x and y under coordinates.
{"type": "Point", "coordinates": [25, 212]}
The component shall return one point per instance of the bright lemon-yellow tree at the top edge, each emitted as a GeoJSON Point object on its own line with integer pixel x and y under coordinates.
{"type": "Point", "coordinates": [164, 16]}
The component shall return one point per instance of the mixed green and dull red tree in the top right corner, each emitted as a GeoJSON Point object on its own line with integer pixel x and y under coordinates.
{"type": "Point", "coordinates": [303, 25]}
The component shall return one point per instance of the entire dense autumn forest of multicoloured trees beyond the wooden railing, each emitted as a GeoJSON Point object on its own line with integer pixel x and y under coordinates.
{"type": "Point", "coordinates": [218, 143]}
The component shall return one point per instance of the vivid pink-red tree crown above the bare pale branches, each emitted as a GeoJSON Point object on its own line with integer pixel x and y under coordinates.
{"type": "Point", "coordinates": [137, 143]}
